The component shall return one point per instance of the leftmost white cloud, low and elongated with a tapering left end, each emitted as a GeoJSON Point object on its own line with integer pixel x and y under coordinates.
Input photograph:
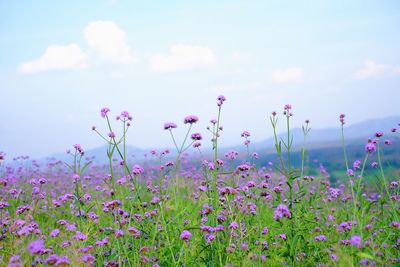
{"type": "Point", "coordinates": [57, 57]}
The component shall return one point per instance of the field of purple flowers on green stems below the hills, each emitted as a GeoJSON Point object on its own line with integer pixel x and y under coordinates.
{"type": "Point", "coordinates": [184, 207]}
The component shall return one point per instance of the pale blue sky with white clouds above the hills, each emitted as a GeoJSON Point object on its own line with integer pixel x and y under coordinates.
{"type": "Point", "coordinates": [62, 61]}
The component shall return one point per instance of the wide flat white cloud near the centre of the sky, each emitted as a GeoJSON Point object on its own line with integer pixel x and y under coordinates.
{"type": "Point", "coordinates": [183, 57]}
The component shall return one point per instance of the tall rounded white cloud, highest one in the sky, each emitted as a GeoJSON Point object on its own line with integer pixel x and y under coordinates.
{"type": "Point", "coordinates": [108, 41]}
